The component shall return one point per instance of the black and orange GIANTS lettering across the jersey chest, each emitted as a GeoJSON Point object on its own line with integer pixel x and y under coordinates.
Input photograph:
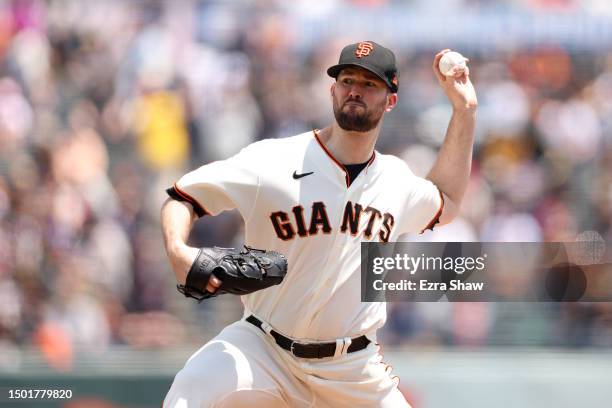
{"type": "Point", "coordinates": [287, 226]}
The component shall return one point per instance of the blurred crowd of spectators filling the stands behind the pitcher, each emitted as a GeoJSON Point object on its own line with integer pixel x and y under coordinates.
{"type": "Point", "coordinates": [105, 104]}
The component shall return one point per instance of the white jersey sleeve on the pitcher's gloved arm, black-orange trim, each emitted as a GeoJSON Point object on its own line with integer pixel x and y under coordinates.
{"type": "Point", "coordinates": [221, 185]}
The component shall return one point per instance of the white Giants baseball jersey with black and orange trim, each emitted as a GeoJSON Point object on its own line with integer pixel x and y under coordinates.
{"type": "Point", "coordinates": [296, 198]}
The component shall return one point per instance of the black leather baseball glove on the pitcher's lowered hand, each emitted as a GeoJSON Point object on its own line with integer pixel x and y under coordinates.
{"type": "Point", "coordinates": [240, 272]}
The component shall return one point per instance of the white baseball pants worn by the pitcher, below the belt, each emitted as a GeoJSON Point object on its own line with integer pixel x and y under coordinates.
{"type": "Point", "coordinates": [244, 367]}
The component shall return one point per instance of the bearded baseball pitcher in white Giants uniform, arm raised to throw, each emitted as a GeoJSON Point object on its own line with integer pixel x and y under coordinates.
{"type": "Point", "coordinates": [308, 201]}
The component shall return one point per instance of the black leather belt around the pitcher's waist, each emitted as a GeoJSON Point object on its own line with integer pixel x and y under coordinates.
{"type": "Point", "coordinates": [310, 350]}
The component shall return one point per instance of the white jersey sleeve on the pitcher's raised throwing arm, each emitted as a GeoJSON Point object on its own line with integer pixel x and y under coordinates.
{"type": "Point", "coordinates": [423, 204]}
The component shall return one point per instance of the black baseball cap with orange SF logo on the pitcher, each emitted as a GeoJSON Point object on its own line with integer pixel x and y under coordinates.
{"type": "Point", "coordinates": [371, 56]}
